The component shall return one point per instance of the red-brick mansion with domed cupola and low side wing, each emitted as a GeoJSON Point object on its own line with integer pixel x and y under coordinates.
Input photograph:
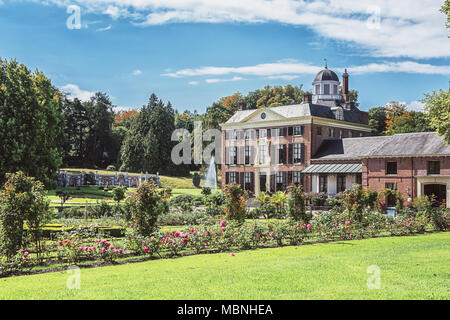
{"type": "Point", "coordinates": [325, 144]}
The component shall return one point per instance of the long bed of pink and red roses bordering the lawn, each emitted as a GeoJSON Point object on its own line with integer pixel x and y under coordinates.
{"type": "Point", "coordinates": [77, 245]}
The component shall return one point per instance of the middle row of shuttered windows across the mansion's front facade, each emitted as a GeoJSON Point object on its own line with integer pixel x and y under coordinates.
{"type": "Point", "coordinates": [295, 154]}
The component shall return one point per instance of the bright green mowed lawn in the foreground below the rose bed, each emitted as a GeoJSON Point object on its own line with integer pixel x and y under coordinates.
{"type": "Point", "coordinates": [414, 267]}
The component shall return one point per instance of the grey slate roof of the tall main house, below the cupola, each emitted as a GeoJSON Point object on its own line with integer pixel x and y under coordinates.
{"type": "Point", "coordinates": [302, 110]}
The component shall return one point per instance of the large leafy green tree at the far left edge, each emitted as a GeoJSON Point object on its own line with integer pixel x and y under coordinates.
{"type": "Point", "coordinates": [30, 123]}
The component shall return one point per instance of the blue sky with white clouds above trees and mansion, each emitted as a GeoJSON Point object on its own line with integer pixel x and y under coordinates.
{"type": "Point", "coordinates": [193, 52]}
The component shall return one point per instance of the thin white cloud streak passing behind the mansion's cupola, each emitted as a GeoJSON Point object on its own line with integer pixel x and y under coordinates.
{"type": "Point", "coordinates": [291, 69]}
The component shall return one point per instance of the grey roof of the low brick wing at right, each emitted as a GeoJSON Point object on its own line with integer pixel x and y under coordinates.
{"type": "Point", "coordinates": [422, 143]}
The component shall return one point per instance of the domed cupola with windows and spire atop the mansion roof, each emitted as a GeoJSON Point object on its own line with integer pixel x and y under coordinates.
{"type": "Point", "coordinates": [326, 86]}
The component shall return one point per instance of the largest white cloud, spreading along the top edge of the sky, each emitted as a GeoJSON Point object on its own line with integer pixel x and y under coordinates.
{"type": "Point", "coordinates": [407, 28]}
